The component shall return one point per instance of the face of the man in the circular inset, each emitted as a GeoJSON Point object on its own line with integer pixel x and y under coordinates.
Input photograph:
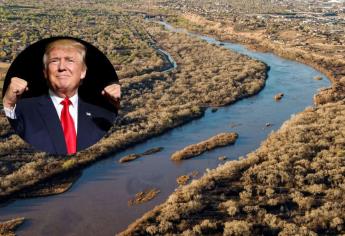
{"type": "Point", "coordinates": [64, 70]}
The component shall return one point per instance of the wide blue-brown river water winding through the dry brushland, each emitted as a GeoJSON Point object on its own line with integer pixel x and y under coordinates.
{"type": "Point", "coordinates": [97, 202]}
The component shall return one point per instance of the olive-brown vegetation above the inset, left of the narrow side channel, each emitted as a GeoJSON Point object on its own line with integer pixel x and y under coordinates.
{"type": "Point", "coordinates": [126, 43]}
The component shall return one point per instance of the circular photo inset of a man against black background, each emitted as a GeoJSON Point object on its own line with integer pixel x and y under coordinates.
{"type": "Point", "coordinates": [61, 95]}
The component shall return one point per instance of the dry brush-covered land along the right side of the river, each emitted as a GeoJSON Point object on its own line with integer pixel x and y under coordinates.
{"type": "Point", "coordinates": [293, 184]}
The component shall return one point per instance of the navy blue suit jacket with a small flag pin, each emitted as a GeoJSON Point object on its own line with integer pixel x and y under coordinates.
{"type": "Point", "coordinates": [38, 123]}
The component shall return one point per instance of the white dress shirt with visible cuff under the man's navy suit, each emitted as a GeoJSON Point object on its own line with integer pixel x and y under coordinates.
{"type": "Point", "coordinates": [73, 108]}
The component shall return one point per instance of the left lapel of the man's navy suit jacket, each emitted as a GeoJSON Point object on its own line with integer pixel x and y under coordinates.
{"type": "Point", "coordinates": [52, 123]}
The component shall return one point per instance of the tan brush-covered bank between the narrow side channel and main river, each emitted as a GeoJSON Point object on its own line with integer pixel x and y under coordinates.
{"type": "Point", "coordinates": [152, 104]}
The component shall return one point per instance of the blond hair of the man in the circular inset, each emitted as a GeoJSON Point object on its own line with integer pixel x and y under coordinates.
{"type": "Point", "coordinates": [65, 43]}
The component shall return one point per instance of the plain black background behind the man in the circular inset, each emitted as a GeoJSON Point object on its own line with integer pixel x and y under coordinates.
{"type": "Point", "coordinates": [28, 65]}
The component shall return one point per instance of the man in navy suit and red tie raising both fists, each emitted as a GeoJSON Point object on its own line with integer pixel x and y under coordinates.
{"type": "Point", "coordinates": [60, 122]}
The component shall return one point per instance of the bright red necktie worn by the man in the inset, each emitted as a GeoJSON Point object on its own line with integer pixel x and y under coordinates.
{"type": "Point", "coordinates": [68, 127]}
